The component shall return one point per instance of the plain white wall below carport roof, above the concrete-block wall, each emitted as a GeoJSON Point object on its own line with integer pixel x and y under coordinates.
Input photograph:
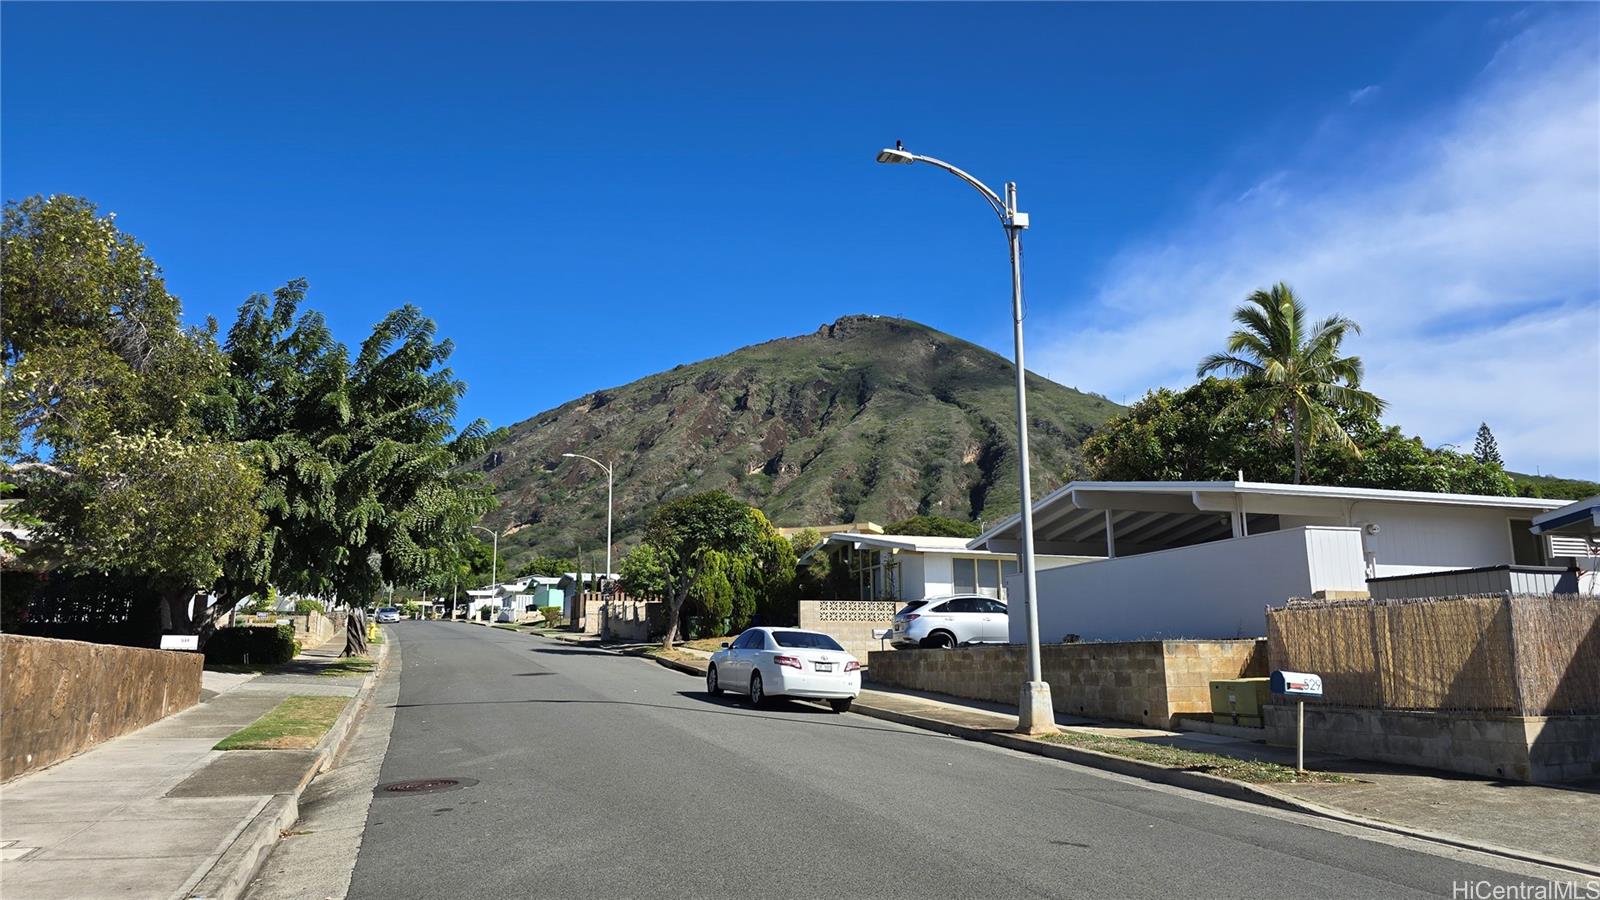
{"type": "Point", "coordinates": [1217, 590]}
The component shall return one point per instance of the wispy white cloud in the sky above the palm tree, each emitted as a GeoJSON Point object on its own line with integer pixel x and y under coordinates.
{"type": "Point", "coordinates": [1468, 246]}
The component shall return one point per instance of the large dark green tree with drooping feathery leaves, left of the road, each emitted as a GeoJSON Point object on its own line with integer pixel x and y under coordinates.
{"type": "Point", "coordinates": [362, 457]}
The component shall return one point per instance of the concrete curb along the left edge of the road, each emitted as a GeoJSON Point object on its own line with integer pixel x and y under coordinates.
{"type": "Point", "coordinates": [231, 875]}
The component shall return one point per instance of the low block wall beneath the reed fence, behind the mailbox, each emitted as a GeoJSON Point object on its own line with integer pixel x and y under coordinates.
{"type": "Point", "coordinates": [1522, 749]}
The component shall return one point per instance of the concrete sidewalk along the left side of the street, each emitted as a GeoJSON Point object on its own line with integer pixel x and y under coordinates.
{"type": "Point", "coordinates": [161, 814]}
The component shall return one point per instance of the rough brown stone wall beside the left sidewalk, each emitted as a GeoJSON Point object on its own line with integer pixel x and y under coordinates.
{"type": "Point", "coordinates": [63, 697]}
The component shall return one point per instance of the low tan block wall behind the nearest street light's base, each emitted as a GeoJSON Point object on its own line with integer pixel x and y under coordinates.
{"type": "Point", "coordinates": [1130, 681]}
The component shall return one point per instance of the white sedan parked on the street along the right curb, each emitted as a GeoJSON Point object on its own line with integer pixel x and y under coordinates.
{"type": "Point", "coordinates": [786, 662]}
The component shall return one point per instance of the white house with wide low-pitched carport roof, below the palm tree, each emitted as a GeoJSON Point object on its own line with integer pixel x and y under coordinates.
{"type": "Point", "coordinates": [1204, 560]}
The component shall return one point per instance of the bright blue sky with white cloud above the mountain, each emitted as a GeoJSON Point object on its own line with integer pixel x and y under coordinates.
{"type": "Point", "coordinates": [588, 195]}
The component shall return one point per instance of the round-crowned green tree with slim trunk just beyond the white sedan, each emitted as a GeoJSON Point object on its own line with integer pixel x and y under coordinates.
{"type": "Point", "coordinates": [686, 532]}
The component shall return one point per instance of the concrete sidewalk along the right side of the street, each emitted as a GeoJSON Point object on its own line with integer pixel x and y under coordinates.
{"type": "Point", "coordinates": [1534, 822]}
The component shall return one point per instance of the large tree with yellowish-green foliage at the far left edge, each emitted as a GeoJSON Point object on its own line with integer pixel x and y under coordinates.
{"type": "Point", "coordinates": [106, 400]}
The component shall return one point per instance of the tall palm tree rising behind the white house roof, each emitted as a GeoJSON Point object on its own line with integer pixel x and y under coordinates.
{"type": "Point", "coordinates": [1295, 374]}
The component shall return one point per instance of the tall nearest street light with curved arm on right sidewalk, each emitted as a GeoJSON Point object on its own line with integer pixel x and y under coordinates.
{"type": "Point", "coordinates": [1034, 713]}
